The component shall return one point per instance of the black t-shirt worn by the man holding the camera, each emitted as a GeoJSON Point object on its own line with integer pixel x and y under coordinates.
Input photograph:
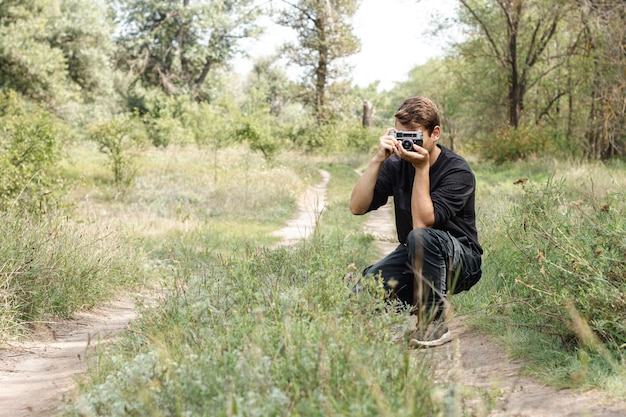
{"type": "Point", "coordinates": [452, 191]}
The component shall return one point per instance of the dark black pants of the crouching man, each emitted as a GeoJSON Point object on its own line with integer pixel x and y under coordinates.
{"type": "Point", "coordinates": [431, 264]}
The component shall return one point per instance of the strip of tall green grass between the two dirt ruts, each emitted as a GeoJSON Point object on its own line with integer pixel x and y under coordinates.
{"type": "Point", "coordinates": [264, 331]}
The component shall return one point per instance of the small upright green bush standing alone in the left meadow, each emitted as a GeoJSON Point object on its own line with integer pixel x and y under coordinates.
{"type": "Point", "coordinates": [120, 139]}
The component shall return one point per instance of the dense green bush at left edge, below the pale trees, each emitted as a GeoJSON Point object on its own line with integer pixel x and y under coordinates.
{"type": "Point", "coordinates": [30, 149]}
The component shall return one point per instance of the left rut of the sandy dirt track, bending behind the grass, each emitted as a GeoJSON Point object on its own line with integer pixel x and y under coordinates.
{"type": "Point", "coordinates": [35, 374]}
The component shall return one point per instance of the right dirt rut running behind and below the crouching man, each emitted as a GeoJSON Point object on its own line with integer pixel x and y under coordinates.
{"type": "Point", "coordinates": [477, 364]}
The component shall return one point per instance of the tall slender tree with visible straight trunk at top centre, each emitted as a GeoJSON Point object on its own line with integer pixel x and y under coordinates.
{"type": "Point", "coordinates": [323, 37]}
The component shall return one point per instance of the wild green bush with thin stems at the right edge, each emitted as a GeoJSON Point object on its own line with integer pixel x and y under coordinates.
{"type": "Point", "coordinates": [575, 255]}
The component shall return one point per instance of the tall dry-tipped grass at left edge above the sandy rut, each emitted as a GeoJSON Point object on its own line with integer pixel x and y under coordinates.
{"type": "Point", "coordinates": [53, 267]}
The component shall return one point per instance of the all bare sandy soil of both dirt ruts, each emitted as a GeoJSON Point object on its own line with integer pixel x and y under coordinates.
{"type": "Point", "coordinates": [36, 374]}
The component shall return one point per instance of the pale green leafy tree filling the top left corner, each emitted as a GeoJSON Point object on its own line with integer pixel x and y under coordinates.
{"type": "Point", "coordinates": [53, 51]}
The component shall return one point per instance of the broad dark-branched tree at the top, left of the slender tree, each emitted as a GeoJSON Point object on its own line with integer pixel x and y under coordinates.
{"type": "Point", "coordinates": [176, 44]}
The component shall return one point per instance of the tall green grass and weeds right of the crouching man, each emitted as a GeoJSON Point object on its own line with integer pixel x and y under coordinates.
{"type": "Point", "coordinates": [555, 250]}
